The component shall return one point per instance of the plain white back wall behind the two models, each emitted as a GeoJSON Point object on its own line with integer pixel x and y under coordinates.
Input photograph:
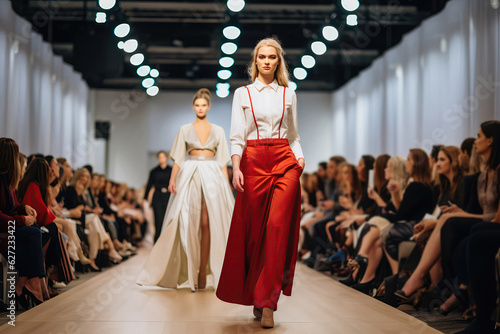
{"type": "Point", "coordinates": [142, 125]}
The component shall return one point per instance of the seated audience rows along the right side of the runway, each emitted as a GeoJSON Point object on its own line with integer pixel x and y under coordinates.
{"type": "Point", "coordinates": [363, 222]}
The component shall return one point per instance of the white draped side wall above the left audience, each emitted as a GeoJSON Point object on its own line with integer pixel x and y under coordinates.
{"type": "Point", "coordinates": [43, 101]}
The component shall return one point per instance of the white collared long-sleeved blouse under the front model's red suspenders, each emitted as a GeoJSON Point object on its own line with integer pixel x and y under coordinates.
{"type": "Point", "coordinates": [267, 103]}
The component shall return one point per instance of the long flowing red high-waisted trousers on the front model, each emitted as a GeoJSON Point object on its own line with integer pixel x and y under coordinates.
{"type": "Point", "coordinates": [262, 246]}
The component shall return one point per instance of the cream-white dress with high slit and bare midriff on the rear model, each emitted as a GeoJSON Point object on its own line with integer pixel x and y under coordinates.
{"type": "Point", "coordinates": [175, 258]}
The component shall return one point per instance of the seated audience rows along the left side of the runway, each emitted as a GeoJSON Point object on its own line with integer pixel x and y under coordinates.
{"type": "Point", "coordinates": [61, 221]}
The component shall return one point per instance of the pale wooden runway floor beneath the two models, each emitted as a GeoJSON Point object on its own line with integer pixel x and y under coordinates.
{"type": "Point", "coordinates": [113, 303]}
